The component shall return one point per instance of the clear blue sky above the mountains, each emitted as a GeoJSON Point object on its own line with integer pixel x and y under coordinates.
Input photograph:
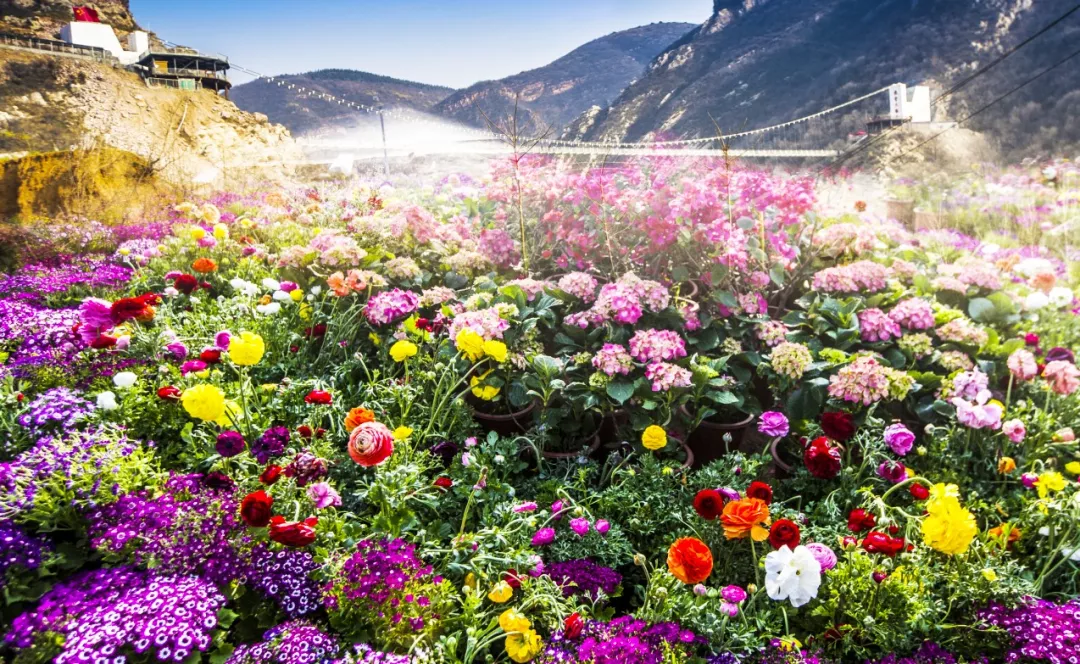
{"type": "Point", "coordinates": [449, 44]}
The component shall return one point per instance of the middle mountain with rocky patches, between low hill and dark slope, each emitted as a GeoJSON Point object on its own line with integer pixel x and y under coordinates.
{"type": "Point", "coordinates": [556, 94]}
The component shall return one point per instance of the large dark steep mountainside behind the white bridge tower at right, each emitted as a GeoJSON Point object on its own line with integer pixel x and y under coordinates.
{"type": "Point", "coordinates": [757, 63]}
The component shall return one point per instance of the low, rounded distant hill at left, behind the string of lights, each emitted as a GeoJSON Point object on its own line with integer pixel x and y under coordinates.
{"type": "Point", "coordinates": [303, 115]}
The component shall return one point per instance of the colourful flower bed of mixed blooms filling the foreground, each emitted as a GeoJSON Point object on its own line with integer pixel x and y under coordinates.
{"type": "Point", "coordinates": [649, 414]}
